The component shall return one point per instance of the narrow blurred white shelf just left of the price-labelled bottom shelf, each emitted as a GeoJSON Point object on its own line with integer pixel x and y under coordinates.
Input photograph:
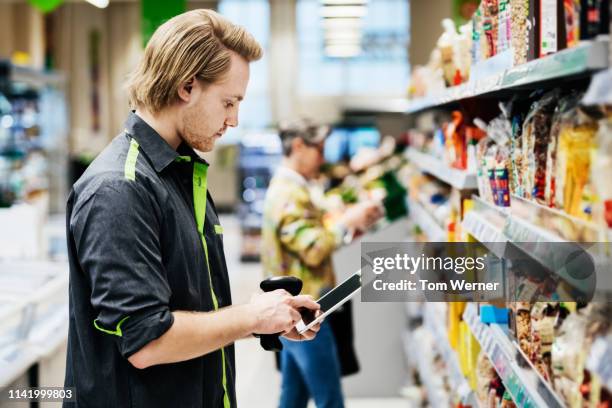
{"type": "Point", "coordinates": [433, 323]}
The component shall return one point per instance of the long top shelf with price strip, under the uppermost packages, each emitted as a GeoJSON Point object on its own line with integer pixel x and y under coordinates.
{"type": "Point", "coordinates": [587, 57]}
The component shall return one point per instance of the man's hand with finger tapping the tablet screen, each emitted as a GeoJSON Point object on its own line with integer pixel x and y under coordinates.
{"type": "Point", "coordinates": [277, 311]}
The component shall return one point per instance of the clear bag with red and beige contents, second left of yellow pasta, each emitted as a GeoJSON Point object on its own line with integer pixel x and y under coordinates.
{"type": "Point", "coordinates": [536, 135]}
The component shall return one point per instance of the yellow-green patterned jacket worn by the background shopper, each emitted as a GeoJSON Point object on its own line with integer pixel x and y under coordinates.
{"type": "Point", "coordinates": [294, 240]}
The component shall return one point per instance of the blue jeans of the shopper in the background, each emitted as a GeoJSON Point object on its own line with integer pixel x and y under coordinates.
{"type": "Point", "coordinates": [311, 369]}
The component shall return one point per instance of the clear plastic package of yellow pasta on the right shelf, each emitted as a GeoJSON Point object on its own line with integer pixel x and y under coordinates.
{"type": "Point", "coordinates": [573, 165]}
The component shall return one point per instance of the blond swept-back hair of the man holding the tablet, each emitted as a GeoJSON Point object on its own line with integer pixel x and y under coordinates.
{"type": "Point", "coordinates": [197, 44]}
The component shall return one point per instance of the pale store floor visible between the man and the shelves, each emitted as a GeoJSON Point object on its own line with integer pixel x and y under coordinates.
{"type": "Point", "coordinates": [258, 381]}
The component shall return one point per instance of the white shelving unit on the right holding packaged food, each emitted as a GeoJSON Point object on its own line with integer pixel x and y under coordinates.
{"type": "Point", "coordinates": [525, 224]}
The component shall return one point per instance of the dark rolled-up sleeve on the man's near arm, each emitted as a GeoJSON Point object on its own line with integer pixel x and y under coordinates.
{"type": "Point", "coordinates": [116, 233]}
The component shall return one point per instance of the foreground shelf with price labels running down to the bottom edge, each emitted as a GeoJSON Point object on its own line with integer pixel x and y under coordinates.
{"type": "Point", "coordinates": [523, 382]}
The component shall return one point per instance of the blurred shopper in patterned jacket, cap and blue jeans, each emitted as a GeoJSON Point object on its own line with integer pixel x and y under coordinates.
{"type": "Point", "coordinates": [295, 242]}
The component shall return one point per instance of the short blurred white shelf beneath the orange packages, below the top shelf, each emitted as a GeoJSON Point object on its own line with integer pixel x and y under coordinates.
{"type": "Point", "coordinates": [459, 179]}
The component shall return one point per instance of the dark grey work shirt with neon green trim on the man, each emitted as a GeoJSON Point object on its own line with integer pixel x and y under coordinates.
{"type": "Point", "coordinates": [136, 254]}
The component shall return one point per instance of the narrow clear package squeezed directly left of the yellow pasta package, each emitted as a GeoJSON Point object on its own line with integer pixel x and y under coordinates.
{"type": "Point", "coordinates": [564, 108]}
